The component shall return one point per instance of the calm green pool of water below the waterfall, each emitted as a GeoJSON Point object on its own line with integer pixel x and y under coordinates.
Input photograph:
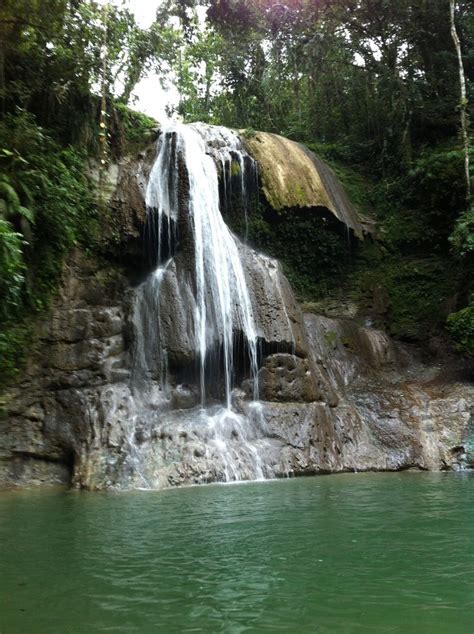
{"type": "Point", "coordinates": [341, 554]}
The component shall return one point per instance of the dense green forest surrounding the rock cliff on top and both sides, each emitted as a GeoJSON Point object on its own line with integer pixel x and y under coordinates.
{"type": "Point", "coordinates": [381, 90]}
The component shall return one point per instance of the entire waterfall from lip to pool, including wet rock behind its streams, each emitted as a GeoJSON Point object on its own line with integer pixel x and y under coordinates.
{"type": "Point", "coordinates": [191, 316]}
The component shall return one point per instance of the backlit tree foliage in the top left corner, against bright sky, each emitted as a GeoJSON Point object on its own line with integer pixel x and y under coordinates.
{"type": "Point", "coordinates": [56, 55]}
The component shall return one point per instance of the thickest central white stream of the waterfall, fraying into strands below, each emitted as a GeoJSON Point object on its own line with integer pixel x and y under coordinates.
{"type": "Point", "coordinates": [223, 301]}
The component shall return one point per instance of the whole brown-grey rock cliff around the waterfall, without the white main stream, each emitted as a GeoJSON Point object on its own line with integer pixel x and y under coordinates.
{"type": "Point", "coordinates": [333, 395]}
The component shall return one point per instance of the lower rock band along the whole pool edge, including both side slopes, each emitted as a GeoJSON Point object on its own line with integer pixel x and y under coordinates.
{"type": "Point", "coordinates": [73, 418]}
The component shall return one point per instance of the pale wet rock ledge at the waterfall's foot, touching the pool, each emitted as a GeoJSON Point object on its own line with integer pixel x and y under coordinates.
{"type": "Point", "coordinates": [182, 447]}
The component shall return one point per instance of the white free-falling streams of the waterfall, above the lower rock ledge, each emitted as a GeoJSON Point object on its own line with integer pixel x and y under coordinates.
{"type": "Point", "coordinates": [222, 305]}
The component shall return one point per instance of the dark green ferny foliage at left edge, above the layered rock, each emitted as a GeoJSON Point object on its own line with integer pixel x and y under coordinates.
{"type": "Point", "coordinates": [51, 180]}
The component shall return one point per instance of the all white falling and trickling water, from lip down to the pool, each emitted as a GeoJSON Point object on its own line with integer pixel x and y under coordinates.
{"type": "Point", "coordinates": [183, 193]}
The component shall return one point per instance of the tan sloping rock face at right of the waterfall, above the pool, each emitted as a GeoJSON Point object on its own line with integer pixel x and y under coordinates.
{"type": "Point", "coordinates": [403, 413]}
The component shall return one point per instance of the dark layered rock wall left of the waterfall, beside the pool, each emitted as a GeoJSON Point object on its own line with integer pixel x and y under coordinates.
{"type": "Point", "coordinates": [80, 347]}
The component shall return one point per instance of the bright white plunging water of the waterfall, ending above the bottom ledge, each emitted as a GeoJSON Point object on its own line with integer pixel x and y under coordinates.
{"type": "Point", "coordinates": [222, 302]}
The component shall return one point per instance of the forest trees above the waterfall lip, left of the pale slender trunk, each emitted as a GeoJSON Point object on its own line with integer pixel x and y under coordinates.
{"type": "Point", "coordinates": [379, 77]}
